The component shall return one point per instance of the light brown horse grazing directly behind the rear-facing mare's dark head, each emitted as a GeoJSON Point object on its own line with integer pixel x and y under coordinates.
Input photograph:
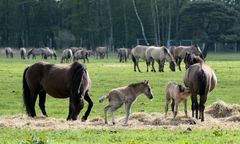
{"type": "Point", "coordinates": [179, 53]}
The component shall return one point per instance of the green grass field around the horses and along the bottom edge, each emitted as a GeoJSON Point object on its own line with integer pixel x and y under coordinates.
{"type": "Point", "coordinates": [107, 74]}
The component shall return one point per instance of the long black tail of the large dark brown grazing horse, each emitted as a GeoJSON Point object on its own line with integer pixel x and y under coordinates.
{"type": "Point", "coordinates": [26, 94]}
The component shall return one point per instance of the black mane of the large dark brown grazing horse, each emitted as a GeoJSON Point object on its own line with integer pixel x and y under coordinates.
{"type": "Point", "coordinates": [77, 71]}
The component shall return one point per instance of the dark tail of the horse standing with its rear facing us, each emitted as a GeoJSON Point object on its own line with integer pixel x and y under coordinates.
{"type": "Point", "coordinates": [202, 79]}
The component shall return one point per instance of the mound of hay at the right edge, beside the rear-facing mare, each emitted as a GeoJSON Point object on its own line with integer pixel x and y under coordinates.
{"type": "Point", "coordinates": [222, 110]}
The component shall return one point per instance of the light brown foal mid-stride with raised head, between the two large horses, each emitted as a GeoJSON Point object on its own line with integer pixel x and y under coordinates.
{"type": "Point", "coordinates": [126, 95]}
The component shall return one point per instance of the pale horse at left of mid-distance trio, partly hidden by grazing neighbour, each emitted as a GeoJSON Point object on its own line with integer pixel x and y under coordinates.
{"type": "Point", "coordinates": [138, 52]}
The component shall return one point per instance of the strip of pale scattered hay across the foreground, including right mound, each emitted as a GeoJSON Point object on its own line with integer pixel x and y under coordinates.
{"type": "Point", "coordinates": [218, 115]}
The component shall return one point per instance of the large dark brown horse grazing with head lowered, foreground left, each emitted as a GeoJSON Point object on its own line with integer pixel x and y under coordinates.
{"type": "Point", "coordinates": [59, 81]}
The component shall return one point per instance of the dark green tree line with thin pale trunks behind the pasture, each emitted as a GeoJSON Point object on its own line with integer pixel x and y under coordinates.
{"type": "Point", "coordinates": [114, 23]}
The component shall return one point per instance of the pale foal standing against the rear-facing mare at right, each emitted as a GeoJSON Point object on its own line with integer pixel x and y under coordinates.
{"type": "Point", "coordinates": [177, 93]}
